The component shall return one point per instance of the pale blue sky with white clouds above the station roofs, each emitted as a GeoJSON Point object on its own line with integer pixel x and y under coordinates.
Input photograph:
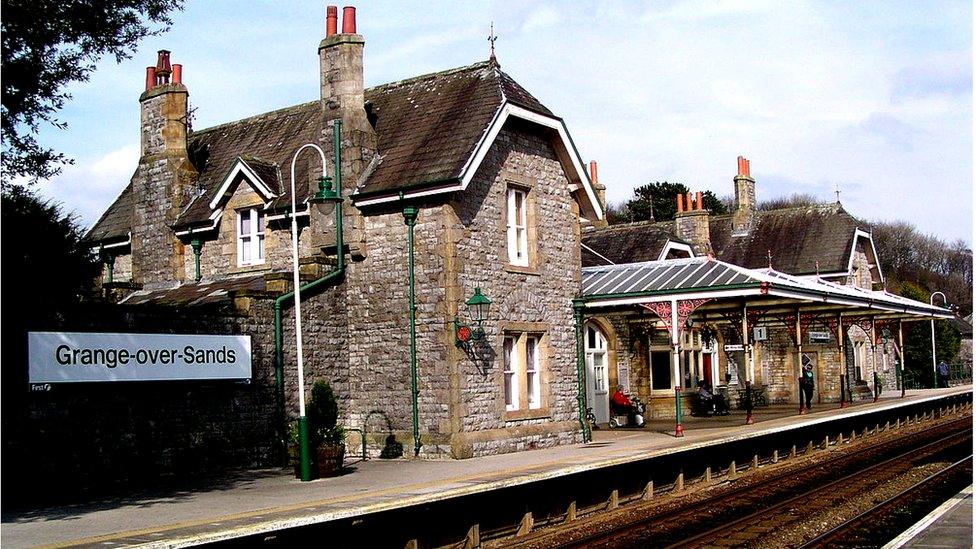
{"type": "Point", "coordinates": [873, 99]}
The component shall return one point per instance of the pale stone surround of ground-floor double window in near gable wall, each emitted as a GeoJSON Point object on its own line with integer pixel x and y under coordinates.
{"type": "Point", "coordinates": [522, 331]}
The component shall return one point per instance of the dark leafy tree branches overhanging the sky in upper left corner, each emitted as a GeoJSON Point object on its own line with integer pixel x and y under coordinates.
{"type": "Point", "coordinates": [48, 44]}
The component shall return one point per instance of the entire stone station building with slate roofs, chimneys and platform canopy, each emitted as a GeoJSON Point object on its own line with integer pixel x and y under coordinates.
{"type": "Point", "coordinates": [452, 185]}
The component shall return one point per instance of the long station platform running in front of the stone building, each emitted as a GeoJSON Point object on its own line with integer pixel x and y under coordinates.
{"type": "Point", "coordinates": [263, 501]}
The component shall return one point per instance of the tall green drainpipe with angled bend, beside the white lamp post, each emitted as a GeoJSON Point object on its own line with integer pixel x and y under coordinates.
{"type": "Point", "coordinates": [328, 278]}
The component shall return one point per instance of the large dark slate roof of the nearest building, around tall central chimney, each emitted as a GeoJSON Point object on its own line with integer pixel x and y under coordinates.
{"type": "Point", "coordinates": [427, 128]}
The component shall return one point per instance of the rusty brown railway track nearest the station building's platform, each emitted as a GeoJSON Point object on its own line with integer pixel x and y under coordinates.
{"type": "Point", "coordinates": [747, 508]}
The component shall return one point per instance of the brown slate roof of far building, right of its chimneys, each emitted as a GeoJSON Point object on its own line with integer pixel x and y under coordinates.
{"type": "Point", "coordinates": [796, 239]}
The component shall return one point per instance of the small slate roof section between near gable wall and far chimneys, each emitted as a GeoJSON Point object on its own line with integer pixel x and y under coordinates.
{"type": "Point", "coordinates": [626, 243]}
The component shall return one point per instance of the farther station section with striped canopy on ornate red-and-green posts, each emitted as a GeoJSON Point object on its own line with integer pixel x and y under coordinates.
{"type": "Point", "coordinates": [751, 296]}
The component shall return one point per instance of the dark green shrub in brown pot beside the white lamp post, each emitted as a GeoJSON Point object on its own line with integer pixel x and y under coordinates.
{"type": "Point", "coordinates": [327, 438]}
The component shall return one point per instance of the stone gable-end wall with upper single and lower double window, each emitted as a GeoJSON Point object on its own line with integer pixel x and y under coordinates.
{"type": "Point", "coordinates": [533, 298]}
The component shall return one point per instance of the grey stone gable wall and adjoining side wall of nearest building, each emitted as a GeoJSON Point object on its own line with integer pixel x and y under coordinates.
{"type": "Point", "coordinates": [459, 246]}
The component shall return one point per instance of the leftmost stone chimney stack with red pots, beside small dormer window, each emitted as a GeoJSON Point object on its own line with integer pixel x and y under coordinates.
{"type": "Point", "coordinates": [165, 180]}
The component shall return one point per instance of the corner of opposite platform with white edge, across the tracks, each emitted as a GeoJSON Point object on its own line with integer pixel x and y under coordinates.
{"type": "Point", "coordinates": [951, 525]}
